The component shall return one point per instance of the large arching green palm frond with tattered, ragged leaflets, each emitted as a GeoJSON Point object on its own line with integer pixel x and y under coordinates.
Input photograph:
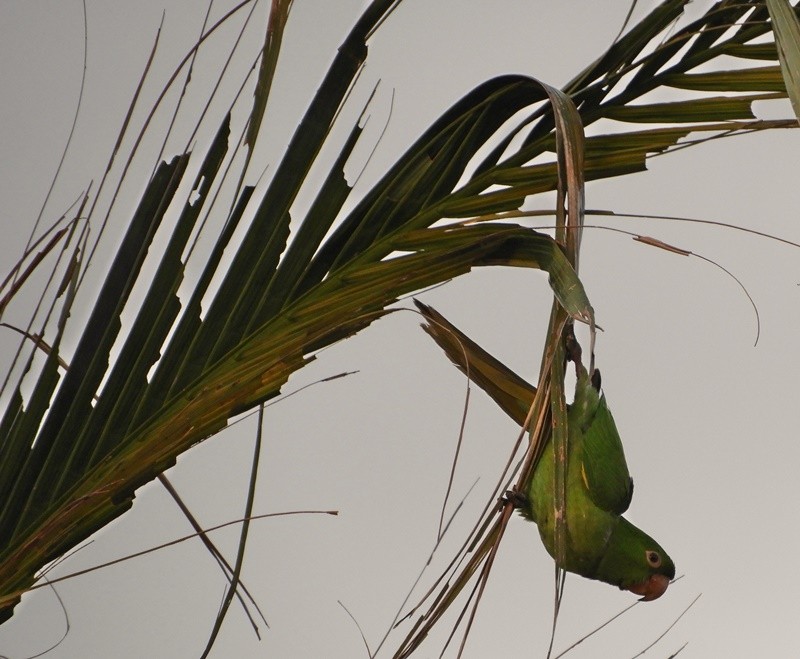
{"type": "Point", "coordinates": [73, 453]}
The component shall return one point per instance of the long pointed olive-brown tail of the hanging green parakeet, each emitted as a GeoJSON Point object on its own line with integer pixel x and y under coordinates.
{"type": "Point", "coordinates": [512, 393]}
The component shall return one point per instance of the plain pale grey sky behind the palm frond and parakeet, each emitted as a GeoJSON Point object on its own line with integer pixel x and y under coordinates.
{"type": "Point", "coordinates": [709, 422]}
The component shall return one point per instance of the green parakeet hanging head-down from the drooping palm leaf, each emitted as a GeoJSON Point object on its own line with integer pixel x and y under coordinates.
{"type": "Point", "coordinates": [600, 543]}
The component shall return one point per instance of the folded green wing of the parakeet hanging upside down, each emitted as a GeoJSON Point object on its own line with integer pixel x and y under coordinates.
{"type": "Point", "coordinates": [597, 444]}
